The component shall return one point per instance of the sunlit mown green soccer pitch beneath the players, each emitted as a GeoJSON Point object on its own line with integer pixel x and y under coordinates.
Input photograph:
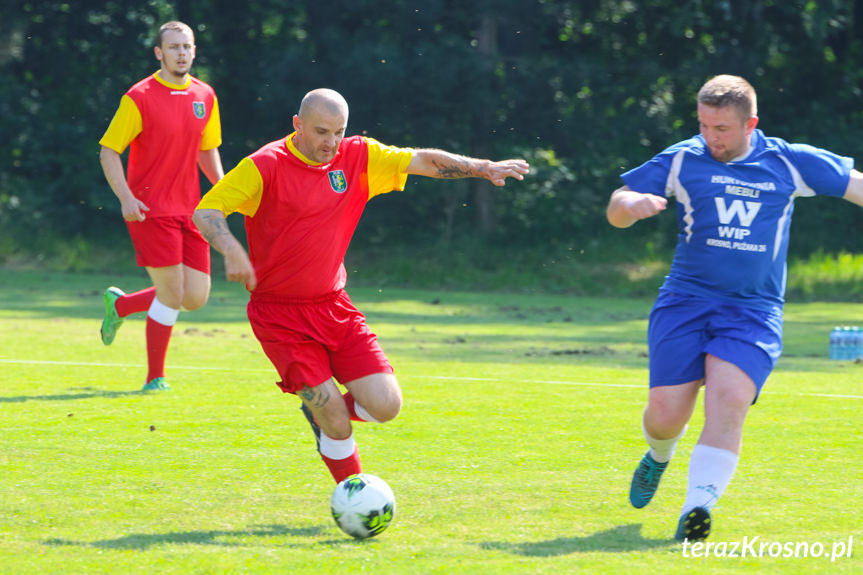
{"type": "Point", "coordinates": [513, 453]}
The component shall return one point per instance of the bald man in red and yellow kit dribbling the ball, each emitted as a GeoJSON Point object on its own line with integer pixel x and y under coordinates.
{"type": "Point", "coordinates": [303, 197]}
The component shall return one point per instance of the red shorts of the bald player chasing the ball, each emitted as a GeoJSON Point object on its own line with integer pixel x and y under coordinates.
{"type": "Point", "coordinates": [310, 342]}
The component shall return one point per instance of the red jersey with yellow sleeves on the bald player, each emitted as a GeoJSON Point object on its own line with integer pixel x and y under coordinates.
{"type": "Point", "coordinates": [301, 216]}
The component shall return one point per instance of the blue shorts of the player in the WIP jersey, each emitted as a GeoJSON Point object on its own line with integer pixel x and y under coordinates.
{"type": "Point", "coordinates": [684, 328]}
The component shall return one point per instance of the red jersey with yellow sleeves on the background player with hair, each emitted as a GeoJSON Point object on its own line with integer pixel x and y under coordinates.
{"type": "Point", "coordinates": [167, 125]}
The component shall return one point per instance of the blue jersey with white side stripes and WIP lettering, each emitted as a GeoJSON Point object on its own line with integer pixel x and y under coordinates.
{"type": "Point", "coordinates": [734, 217]}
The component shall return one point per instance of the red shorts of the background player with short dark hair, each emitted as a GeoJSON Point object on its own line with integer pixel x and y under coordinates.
{"type": "Point", "coordinates": [169, 241]}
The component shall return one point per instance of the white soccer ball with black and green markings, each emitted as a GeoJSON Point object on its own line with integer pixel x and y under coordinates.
{"type": "Point", "coordinates": [363, 505]}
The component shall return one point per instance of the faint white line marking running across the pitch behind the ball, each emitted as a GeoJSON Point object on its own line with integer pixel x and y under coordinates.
{"type": "Point", "coordinates": [440, 377]}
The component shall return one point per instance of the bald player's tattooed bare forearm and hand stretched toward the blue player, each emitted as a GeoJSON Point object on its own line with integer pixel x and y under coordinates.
{"type": "Point", "coordinates": [440, 164]}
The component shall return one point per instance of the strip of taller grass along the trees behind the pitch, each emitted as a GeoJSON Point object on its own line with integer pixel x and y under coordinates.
{"type": "Point", "coordinates": [597, 269]}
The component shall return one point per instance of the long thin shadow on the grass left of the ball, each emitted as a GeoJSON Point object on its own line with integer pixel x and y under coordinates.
{"type": "Point", "coordinates": [222, 538]}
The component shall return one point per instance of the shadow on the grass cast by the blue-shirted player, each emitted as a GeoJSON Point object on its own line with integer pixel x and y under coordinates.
{"type": "Point", "coordinates": [622, 538]}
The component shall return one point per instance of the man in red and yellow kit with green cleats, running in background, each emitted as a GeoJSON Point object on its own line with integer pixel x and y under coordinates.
{"type": "Point", "coordinates": [171, 121]}
